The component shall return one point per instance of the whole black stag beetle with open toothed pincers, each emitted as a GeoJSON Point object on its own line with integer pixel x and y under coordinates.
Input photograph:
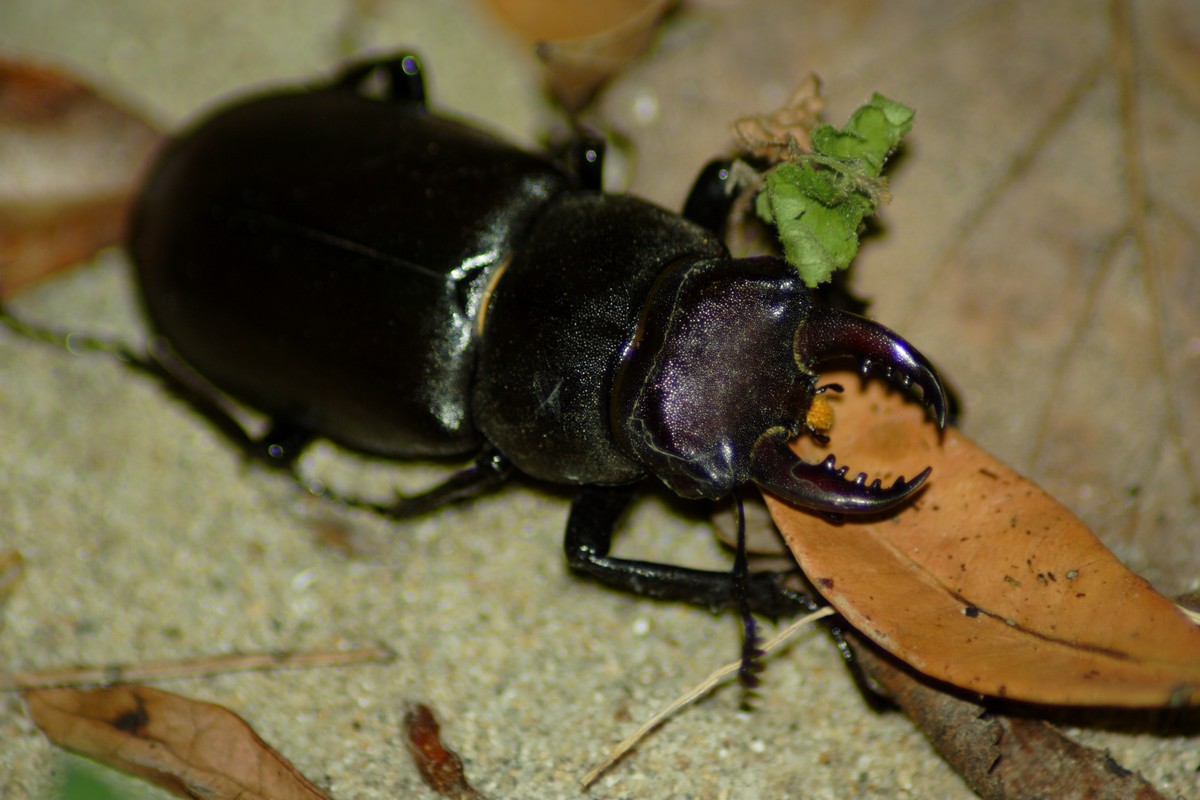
{"type": "Point", "coordinates": [405, 285]}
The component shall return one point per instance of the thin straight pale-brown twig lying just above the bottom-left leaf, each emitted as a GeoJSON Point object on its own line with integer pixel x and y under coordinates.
{"type": "Point", "coordinates": [154, 671]}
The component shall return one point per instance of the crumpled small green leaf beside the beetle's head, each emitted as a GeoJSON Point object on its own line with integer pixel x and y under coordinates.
{"type": "Point", "coordinates": [819, 201]}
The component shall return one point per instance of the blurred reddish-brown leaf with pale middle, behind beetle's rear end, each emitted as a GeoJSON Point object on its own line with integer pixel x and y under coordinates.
{"type": "Point", "coordinates": [71, 161]}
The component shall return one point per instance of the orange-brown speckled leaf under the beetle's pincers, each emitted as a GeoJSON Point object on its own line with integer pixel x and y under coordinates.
{"type": "Point", "coordinates": [986, 581]}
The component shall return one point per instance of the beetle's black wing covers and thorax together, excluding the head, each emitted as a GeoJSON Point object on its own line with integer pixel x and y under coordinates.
{"type": "Point", "coordinates": [403, 284]}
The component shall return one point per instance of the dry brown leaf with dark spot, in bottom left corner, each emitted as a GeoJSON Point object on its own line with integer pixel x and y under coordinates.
{"type": "Point", "coordinates": [194, 749]}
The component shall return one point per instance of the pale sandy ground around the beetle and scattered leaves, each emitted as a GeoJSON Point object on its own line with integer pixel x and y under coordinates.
{"type": "Point", "coordinates": [147, 539]}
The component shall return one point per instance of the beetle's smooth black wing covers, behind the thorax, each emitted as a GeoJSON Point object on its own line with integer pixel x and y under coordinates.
{"type": "Point", "coordinates": [321, 257]}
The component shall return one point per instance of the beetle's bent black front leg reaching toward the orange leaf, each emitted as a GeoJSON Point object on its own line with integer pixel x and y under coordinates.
{"type": "Point", "coordinates": [595, 514]}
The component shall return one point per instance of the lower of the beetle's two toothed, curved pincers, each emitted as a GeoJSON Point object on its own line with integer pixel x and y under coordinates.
{"type": "Point", "coordinates": [824, 488]}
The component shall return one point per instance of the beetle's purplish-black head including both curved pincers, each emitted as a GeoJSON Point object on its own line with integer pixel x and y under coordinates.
{"type": "Point", "coordinates": [722, 375]}
